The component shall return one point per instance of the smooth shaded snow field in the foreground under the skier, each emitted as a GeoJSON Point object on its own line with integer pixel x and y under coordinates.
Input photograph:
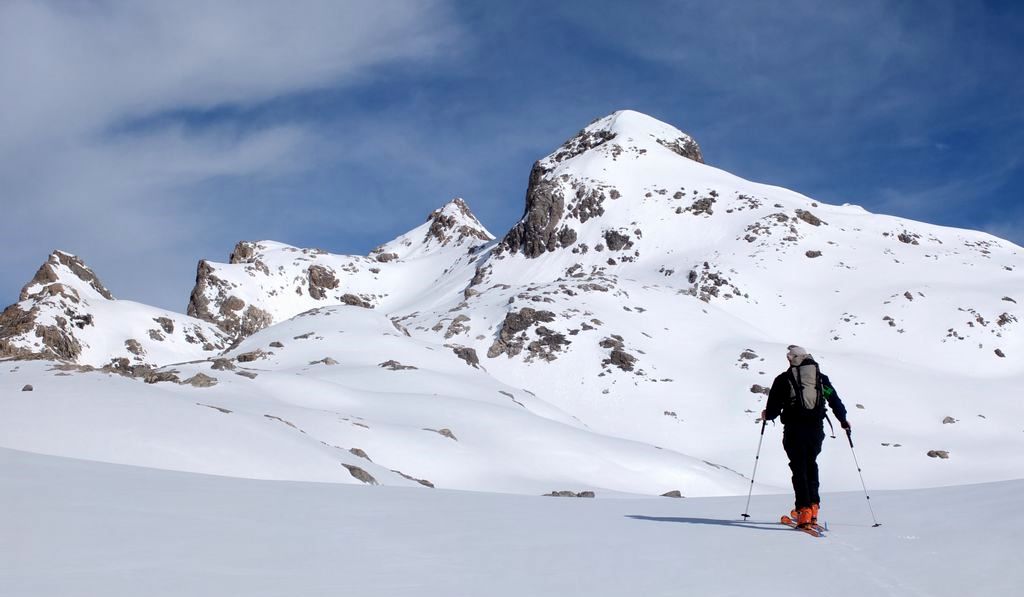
{"type": "Point", "coordinates": [76, 528]}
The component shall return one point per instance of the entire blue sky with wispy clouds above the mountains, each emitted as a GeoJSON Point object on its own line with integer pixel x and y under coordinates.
{"type": "Point", "coordinates": [146, 137]}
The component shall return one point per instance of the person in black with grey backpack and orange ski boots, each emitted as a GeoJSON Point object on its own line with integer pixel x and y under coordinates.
{"type": "Point", "coordinates": [799, 395]}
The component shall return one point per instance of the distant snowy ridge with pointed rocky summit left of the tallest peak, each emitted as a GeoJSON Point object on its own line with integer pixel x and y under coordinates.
{"type": "Point", "coordinates": [266, 283]}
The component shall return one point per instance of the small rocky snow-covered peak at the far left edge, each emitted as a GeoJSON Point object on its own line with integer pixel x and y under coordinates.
{"type": "Point", "coordinates": [66, 313]}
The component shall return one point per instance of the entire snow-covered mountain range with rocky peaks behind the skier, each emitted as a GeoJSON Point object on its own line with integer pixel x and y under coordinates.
{"type": "Point", "coordinates": [618, 339]}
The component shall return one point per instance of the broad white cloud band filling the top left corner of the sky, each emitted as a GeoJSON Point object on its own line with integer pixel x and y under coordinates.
{"type": "Point", "coordinates": [77, 67]}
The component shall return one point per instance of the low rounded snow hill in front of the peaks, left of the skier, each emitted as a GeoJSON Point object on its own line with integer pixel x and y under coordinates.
{"type": "Point", "coordinates": [312, 400]}
